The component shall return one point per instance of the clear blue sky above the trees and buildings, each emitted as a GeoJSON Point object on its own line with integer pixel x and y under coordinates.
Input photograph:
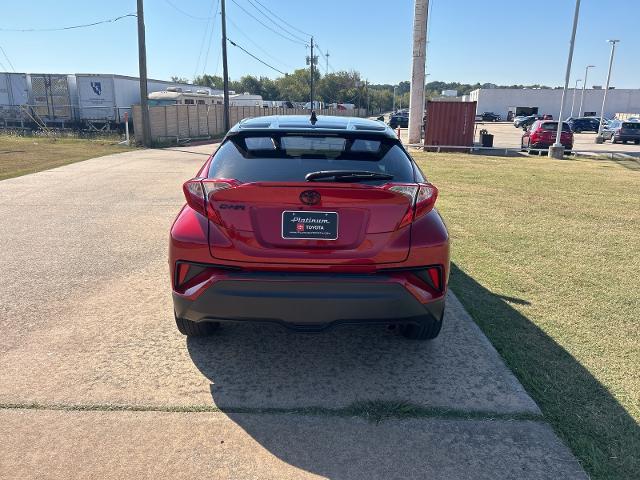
{"type": "Point", "coordinates": [499, 41]}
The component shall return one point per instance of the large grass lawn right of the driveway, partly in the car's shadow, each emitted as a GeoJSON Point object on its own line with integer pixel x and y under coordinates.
{"type": "Point", "coordinates": [547, 261]}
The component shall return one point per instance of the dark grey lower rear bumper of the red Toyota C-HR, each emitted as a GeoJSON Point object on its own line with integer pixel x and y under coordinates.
{"type": "Point", "coordinates": [311, 302]}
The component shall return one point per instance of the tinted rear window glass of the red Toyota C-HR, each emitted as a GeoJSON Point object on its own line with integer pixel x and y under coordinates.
{"type": "Point", "coordinates": [289, 158]}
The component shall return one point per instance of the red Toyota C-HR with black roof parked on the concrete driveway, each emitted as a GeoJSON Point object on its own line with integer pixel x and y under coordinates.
{"type": "Point", "coordinates": [310, 223]}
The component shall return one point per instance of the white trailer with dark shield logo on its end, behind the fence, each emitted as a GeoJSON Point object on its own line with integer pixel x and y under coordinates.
{"type": "Point", "coordinates": [104, 98]}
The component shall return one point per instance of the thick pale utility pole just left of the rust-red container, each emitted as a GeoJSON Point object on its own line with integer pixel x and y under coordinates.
{"type": "Point", "coordinates": [416, 98]}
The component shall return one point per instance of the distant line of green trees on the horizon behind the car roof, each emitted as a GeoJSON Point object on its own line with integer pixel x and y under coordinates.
{"type": "Point", "coordinates": [337, 87]}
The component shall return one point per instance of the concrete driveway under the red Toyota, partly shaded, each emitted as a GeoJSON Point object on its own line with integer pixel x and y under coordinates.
{"type": "Point", "coordinates": [97, 382]}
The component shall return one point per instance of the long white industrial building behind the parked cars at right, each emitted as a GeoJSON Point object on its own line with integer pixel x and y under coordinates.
{"type": "Point", "coordinates": [547, 101]}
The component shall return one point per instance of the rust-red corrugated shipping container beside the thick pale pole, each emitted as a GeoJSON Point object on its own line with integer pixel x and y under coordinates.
{"type": "Point", "coordinates": [450, 124]}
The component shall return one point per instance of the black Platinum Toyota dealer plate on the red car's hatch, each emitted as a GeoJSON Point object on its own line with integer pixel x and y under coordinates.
{"type": "Point", "coordinates": [310, 225]}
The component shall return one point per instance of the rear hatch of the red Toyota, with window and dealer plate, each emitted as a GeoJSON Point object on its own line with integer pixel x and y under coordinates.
{"type": "Point", "coordinates": [271, 214]}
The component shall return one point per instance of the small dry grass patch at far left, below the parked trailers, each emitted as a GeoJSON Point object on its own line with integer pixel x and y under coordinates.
{"type": "Point", "coordinates": [24, 155]}
